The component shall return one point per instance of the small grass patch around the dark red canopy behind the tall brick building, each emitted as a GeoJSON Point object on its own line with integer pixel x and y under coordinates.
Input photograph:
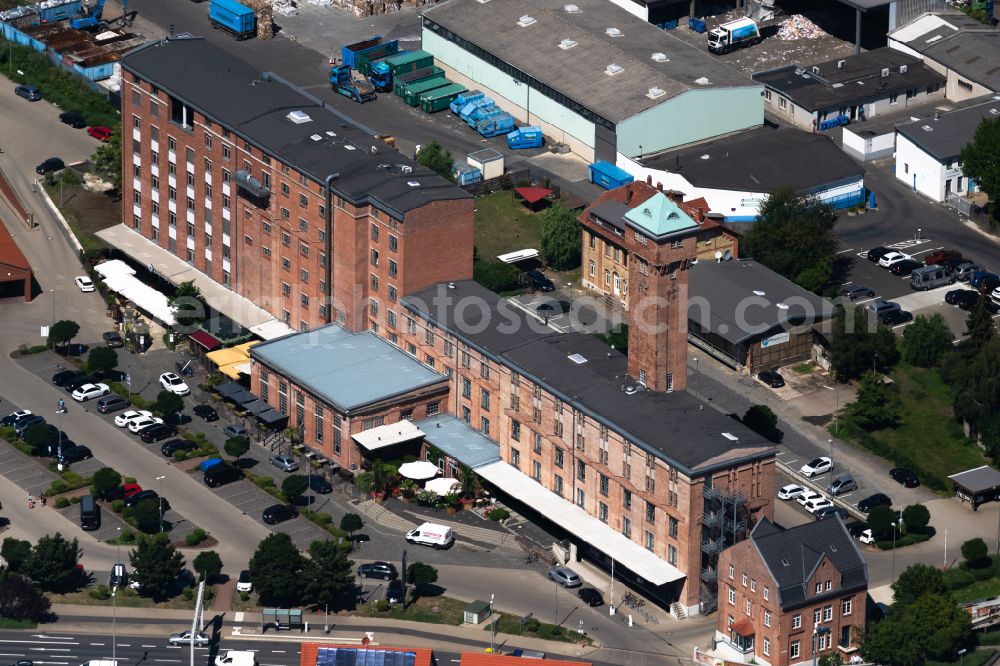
{"type": "Point", "coordinates": [502, 224]}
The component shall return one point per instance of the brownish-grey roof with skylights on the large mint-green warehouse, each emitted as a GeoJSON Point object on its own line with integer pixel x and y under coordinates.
{"type": "Point", "coordinates": [579, 72]}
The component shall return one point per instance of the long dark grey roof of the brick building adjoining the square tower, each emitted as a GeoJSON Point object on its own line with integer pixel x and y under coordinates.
{"type": "Point", "coordinates": [588, 373]}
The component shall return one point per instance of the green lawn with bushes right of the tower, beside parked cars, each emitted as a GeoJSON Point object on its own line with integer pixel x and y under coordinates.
{"type": "Point", "coordinates": [928, 440]}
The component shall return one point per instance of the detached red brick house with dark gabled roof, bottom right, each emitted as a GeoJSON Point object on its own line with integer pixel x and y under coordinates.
{"type": "Point", "coordinates": [784, 593]}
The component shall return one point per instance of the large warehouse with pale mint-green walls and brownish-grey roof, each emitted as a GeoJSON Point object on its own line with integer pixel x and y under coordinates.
{"type": "Point", "coordinates": [593, 76]}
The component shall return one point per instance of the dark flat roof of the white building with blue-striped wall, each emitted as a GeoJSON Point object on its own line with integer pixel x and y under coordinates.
{"type": "Point", "coordinates": [761, 160]}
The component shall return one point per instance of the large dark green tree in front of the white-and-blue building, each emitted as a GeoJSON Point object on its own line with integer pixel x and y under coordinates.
{"type": "Point", "coordinates": [793, 236]}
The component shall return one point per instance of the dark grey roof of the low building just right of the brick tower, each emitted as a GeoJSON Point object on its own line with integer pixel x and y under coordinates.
{"type": "Point", "coordinates": [741, 299]}
